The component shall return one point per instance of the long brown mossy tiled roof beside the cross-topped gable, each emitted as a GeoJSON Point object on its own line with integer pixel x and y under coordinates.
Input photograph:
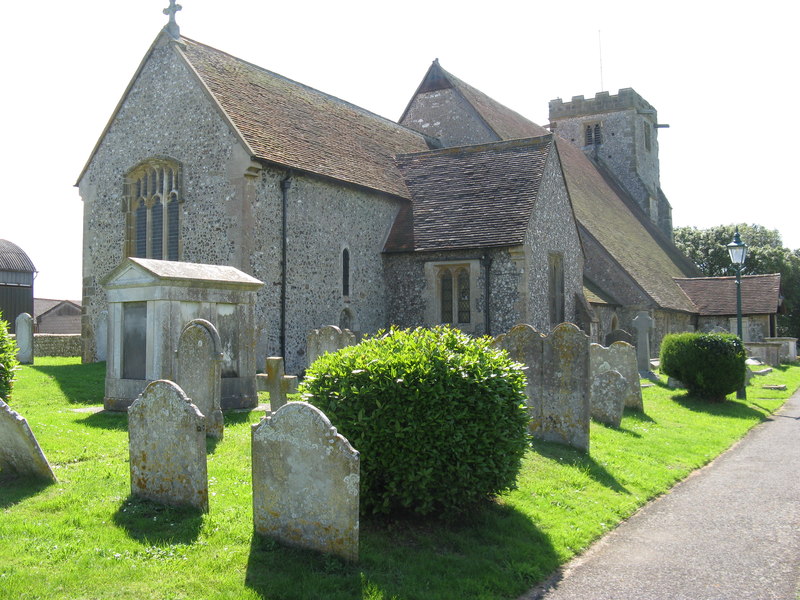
{"type": "Point", "coordinates": [293, 125]}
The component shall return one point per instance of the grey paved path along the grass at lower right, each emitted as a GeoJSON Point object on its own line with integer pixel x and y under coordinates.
{"type": "Point", "coordinates": [729, 531]}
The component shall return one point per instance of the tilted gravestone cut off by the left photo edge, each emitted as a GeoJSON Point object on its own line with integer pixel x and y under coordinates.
{"type": "Point", "coordinates": [20, 454]}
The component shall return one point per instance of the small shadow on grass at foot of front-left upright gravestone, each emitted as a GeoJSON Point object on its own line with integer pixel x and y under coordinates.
{"type": "Point", "coordinates": [158, 524]}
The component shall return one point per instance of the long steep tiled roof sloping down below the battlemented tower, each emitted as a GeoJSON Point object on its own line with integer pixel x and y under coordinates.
{"type": "Point", "coordinates": [602, 212]}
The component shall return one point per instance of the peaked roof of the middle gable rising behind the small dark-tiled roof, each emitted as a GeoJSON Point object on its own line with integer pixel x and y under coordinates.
{"type": "Point", "coordinates": [506, 123]}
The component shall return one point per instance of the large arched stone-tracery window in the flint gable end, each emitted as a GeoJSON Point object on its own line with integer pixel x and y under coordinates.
{"type": "Point", "coordinates": [152, 195]}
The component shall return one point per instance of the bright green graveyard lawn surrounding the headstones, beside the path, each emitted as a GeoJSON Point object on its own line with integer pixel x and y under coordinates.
{"type": "Point", "coordinates": [86, 537]}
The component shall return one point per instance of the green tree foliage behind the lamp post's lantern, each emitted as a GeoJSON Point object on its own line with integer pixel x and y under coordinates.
{"type": "Point", "coordinates": [765, 254]}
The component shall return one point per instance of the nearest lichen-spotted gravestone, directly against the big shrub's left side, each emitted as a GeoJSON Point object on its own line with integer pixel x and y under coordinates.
{"type": "Point", "coordinates": [305, 481]}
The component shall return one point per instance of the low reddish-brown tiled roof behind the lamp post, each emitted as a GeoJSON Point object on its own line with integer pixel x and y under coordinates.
{"type": "Point", "coordinates": [717, 295]}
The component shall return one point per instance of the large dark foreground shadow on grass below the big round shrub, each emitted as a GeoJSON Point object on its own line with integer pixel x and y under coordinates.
{"type": "Point", "coordinates": [497, 552]}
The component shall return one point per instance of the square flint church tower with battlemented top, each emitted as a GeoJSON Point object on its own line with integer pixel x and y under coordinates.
{"type": "Point", "coordinates": [619, 133]}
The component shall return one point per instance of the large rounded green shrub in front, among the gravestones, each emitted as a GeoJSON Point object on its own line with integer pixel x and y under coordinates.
{"type": "Point", "coordinates": [439, 417]}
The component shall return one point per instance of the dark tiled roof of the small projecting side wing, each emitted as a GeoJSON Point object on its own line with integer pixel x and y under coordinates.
{"type": "Point", "coordinates": [470, 197]}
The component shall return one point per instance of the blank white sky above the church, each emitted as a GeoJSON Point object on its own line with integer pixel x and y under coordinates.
{"type": "Point", "coordinates": [724, 78]}
